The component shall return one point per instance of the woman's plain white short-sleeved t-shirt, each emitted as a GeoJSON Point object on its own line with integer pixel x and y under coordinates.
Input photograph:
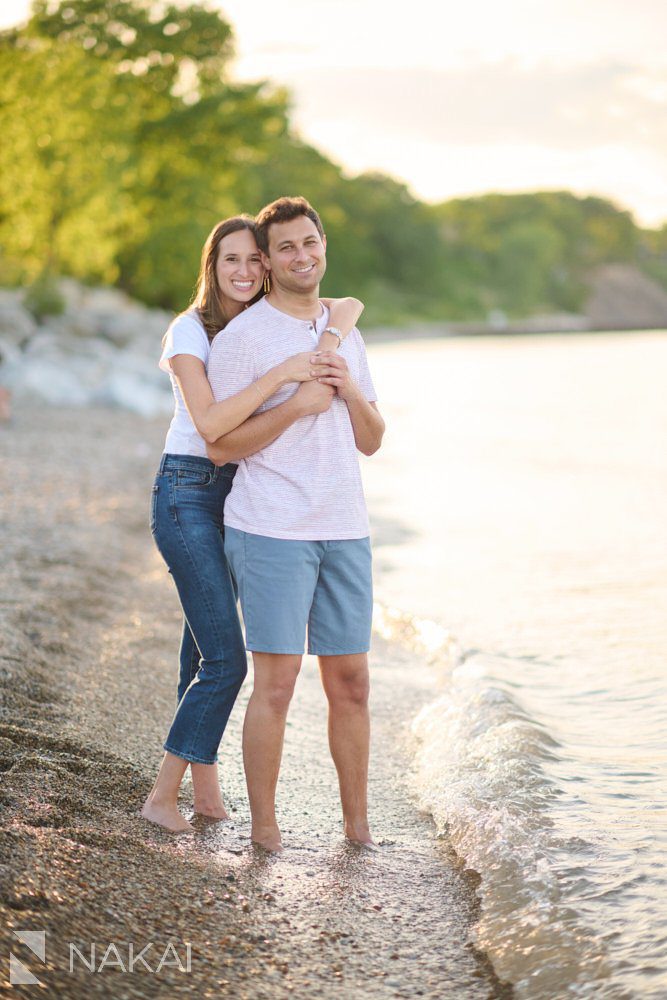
{"type": "Point", "coordinates": [186, 335]}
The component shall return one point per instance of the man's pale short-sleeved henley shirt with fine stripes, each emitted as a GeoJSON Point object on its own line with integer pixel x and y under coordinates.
{"type": "Point", "coordinates": [307, 484]}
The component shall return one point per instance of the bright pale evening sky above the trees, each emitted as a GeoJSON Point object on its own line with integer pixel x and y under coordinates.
{"type": "Point", "coordinates": [460, 99]}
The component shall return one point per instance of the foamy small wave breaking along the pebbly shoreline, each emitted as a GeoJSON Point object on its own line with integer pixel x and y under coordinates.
{"type": "Point", "coordinates": [480, 770]}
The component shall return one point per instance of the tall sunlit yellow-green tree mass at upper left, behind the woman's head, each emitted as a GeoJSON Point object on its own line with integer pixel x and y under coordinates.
{"type": "Point", "coordinates": [130, 141]}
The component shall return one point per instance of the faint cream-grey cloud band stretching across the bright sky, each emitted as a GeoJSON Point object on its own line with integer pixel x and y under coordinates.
{"type": "Point", "coordinates": [604, 103]}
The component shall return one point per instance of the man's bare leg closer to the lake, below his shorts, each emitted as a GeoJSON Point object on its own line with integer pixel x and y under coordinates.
{"type": "Point", "coordinates": [346, 685]}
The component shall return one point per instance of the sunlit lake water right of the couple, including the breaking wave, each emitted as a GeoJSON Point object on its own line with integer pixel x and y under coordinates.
{"type": "Point", "coordinates": [519, 515]}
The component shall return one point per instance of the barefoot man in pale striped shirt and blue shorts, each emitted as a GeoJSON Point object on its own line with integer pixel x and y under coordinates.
{"type": "Point", "coordinates": [296, 527]}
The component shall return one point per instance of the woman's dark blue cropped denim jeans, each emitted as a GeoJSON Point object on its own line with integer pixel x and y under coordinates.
{"type": "Point", "coordinates": [186, 521]}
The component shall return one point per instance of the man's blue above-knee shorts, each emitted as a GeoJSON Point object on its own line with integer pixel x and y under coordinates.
{"type": "Point", "coordinates": [285, 584]}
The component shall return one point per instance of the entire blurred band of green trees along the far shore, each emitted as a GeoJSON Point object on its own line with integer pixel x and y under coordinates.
{"type": "Point", "coordinates": [124, 140]}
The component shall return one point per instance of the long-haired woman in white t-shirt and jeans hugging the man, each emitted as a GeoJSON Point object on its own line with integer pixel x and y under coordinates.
{"type": "Point", "coordinates": [187, 508]}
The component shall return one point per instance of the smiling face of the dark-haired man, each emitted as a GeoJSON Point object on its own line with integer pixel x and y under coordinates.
{"type": "Point", "coordinates": [297, 255]}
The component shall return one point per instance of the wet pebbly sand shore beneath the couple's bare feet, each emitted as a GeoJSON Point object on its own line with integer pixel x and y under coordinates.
{"type": "Point", "coordinates": [90, 626]}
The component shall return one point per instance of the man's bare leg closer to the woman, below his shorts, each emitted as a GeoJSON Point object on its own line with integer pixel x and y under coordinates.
{"type": "Point", "coordinates": [263, 734]}
